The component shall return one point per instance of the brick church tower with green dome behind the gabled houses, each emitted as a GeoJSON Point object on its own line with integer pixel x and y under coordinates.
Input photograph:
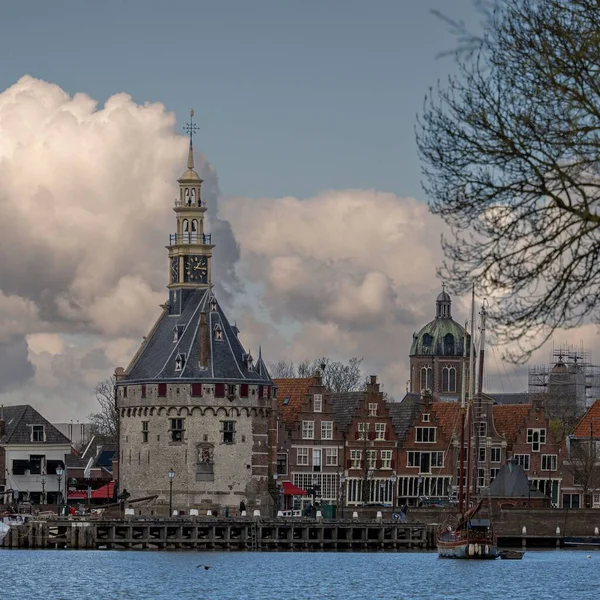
{"type": "Point", "coordinates": [436, 353]}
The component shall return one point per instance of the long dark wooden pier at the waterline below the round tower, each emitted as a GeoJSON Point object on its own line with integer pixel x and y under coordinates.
{"type": "Point", "coordinates": [220, 534]}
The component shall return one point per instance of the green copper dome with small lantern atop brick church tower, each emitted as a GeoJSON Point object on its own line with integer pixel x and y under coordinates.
{"type": "Point", "coordinates": [441, 337]}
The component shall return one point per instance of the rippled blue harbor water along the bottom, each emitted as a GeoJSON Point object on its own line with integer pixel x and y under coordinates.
{"type": "Point", "coordinates": [130, 575]}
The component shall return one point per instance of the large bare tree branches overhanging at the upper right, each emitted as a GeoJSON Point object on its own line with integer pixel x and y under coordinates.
{"type": "Point", "coordinates": [511, 155]}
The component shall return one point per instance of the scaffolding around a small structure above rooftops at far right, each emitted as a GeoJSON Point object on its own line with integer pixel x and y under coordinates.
{"type": "Point", "coordinates": [569, 372]}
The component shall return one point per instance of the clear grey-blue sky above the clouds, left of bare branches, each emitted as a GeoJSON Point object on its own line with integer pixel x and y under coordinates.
{"type": "Point", "coordinates": [292, 98]}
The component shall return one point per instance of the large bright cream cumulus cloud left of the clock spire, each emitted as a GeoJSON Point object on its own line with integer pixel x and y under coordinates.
{"type": "Point", "coordinates": [85, 198]}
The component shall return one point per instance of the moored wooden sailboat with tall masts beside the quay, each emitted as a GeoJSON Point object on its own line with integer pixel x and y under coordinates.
{"type": "Point", "coordinates": [472, 538]}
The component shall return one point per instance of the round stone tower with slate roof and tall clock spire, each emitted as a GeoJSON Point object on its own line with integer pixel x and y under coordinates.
{"type": "Point", "coordinates": [193, 401]}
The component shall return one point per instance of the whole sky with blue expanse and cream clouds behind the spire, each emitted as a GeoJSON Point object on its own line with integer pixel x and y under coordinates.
{"type": "Point", "coordinates": [306, 112]}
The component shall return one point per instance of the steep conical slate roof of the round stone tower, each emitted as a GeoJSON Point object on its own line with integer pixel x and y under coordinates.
{"type": "Point", "coordinates": [158, 353]}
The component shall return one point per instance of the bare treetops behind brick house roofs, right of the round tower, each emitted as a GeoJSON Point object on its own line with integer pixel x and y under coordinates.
{"type": "Point", "coordinates": [337, 376]}
